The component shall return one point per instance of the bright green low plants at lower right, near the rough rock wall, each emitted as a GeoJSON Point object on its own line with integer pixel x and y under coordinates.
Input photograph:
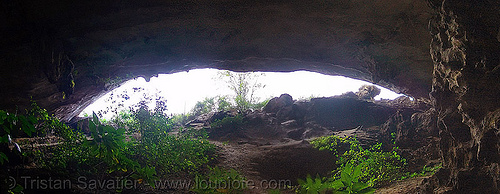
{"type": "Point", "coordinates": [359, 169]}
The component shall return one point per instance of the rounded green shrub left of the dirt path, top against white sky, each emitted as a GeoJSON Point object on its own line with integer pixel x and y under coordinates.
{"type": "Point", "coordinates": [170, 154]}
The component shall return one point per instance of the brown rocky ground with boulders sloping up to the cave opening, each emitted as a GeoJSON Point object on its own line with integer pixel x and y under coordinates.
{"type": "Point", "coordinates": [273, 143]}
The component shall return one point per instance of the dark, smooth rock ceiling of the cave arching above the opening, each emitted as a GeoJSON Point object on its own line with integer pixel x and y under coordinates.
{"type": "Point", "coordinates": [65, 54]}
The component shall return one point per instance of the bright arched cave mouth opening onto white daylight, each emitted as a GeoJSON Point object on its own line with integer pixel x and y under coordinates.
{"type": "Point", "coordinates": [183, 90]}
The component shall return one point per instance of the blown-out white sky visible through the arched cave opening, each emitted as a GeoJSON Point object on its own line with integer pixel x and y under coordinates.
{"type": "Point", "coordinates": [182, 90]}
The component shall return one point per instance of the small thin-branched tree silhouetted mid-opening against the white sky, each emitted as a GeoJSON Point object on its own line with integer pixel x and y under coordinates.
{"type": "Point", "coordinates": [244, 86]}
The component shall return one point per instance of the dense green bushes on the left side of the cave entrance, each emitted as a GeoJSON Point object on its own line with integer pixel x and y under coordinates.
{"type": "Point", "coordinates": [141, 148]}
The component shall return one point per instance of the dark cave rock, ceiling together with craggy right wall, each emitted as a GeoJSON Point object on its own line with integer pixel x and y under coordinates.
{"type": "Point", "coordinates": [66, 54]}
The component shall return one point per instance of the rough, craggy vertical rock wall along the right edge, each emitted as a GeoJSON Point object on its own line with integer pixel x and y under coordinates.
{"type": "Point", "coordinates": [466, 89]}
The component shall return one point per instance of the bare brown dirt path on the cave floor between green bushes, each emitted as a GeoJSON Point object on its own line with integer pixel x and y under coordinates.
{"type": "Point", "coordinates": [284, 163]}
